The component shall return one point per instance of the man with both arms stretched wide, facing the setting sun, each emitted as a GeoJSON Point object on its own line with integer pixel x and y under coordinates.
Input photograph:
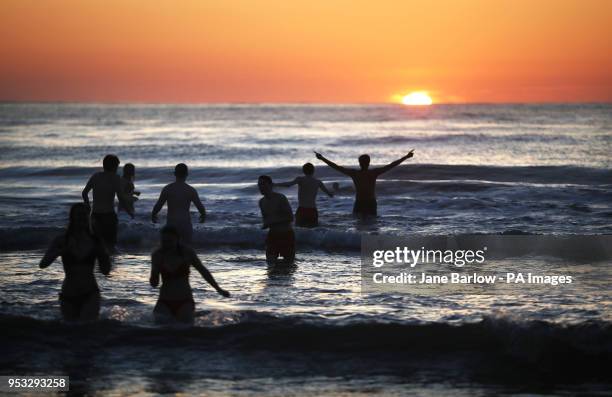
{"type": "Point", "coordinates": [364, 180]}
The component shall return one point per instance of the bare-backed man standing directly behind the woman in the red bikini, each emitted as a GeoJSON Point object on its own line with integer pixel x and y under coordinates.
{"type": "Point", "coordinates": [179, 196]}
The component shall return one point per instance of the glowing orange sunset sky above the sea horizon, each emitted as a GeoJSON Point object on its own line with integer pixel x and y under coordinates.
{"type": "Point", "coordinates": [344, 51]}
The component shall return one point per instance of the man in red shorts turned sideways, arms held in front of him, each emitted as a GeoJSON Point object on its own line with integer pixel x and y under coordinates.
{"type": "Point", "coordinates": [277, 218]}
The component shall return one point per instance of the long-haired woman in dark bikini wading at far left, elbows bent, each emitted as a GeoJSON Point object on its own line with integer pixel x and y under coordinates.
{"type": "Point", "coordinates": [79, 249]}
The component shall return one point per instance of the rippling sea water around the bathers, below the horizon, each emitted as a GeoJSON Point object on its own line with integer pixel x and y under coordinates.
{"type": "Point", "coordinates": [492, 169]}
